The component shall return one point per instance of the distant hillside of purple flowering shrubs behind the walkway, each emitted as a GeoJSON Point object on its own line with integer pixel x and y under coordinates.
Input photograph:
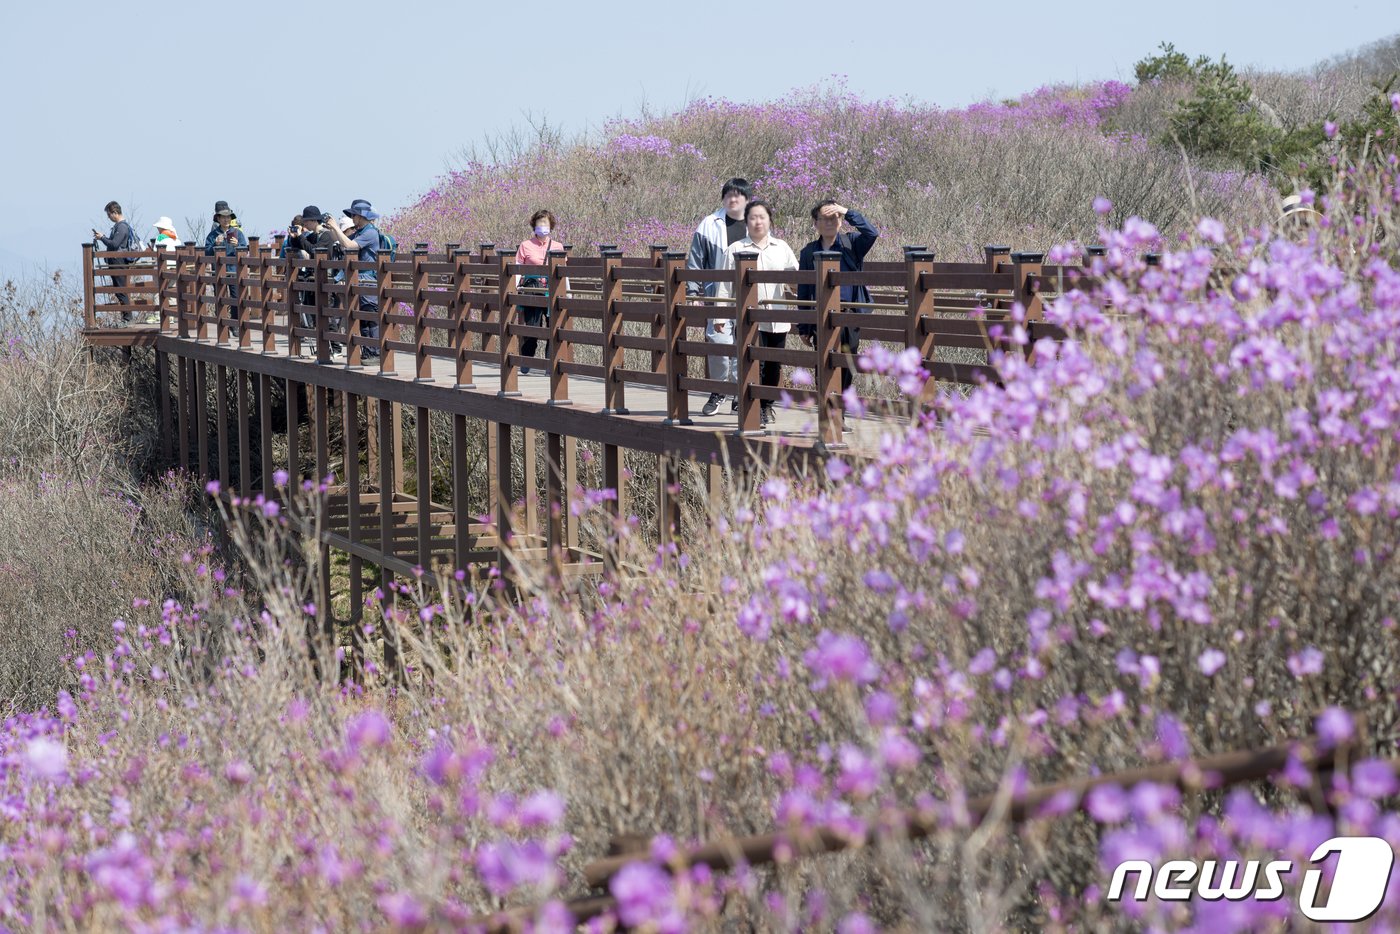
{"type": "Point", "coordinates": [1017, 173]}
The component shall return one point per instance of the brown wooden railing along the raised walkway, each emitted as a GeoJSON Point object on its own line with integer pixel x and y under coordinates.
{"type": "Point", "coordinates": [622, 320]}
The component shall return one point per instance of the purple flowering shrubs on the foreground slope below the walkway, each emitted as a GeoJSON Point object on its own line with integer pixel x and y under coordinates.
{"type": "Point", "coordinates": [1170, 536]}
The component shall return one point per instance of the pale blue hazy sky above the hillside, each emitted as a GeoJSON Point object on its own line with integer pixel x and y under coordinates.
{"type": "Point", "coordinates": [169, 107]}
